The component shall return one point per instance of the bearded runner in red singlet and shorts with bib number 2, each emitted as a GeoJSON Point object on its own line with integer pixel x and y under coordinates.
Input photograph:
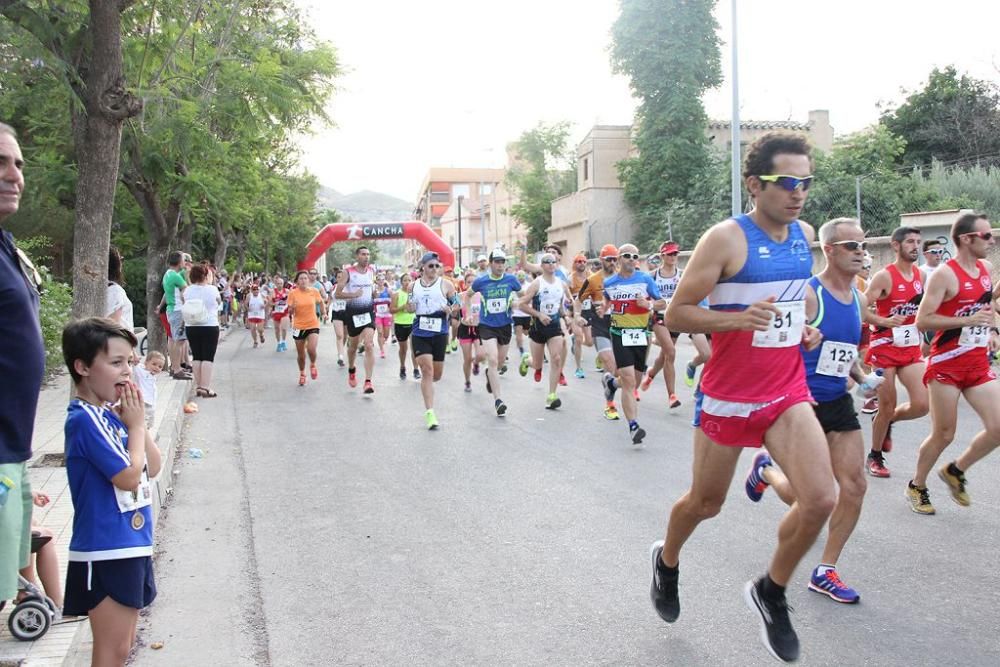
{"type": "Point", "coordinates": [896, 291]}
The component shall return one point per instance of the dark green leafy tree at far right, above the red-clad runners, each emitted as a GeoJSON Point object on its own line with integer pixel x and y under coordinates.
{"type": "Point", "coordinates": [953, 118]}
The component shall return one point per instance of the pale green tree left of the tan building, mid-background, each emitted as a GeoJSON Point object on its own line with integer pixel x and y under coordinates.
{"type": "Point", "coordinates": [543, 171]}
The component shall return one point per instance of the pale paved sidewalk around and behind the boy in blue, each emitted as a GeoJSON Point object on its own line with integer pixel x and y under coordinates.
{"type": "Point", "coordinates": [48, 475]}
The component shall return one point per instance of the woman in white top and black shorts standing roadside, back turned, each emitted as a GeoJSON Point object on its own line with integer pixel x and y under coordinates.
{"type": "Point", "coordinates": [201, 322]}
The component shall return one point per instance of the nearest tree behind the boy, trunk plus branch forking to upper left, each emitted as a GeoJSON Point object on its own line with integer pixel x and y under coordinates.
{"type": "Point", "coordinates": [84, 44]}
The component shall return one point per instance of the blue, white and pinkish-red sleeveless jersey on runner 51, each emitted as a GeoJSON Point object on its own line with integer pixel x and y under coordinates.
{"type": "Point", "coordinates": [739, 370]}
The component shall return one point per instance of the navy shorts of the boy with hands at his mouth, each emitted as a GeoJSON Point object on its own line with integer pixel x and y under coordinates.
{"type": "Point", "coordinates": [127, 581]}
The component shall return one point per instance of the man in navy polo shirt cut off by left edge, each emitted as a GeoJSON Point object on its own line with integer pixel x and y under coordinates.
{"type": "Point", "coordinates": [22, 365]}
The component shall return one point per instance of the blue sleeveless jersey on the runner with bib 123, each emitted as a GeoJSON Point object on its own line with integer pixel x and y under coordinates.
{"type": "Point", "coordinates": [828, 365]}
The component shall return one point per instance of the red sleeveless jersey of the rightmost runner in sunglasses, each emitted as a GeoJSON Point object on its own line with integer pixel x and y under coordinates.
{"type": "Point", "coordinates": [974, 294]}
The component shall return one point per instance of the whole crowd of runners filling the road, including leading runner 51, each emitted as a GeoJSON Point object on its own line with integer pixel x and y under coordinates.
{"type": "Point", "coordinates": [787, 347]}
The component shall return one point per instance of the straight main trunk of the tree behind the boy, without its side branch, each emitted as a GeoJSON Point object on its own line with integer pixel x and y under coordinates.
{"type": "Point", "coordinates": [97, 142]}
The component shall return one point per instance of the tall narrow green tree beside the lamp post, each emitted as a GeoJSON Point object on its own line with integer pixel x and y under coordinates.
{"type": "Point", "coordinates": [670, 52]}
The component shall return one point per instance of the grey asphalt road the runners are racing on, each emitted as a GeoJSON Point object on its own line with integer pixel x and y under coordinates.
{"type": "Point", "coordinates": [327, 528]}
